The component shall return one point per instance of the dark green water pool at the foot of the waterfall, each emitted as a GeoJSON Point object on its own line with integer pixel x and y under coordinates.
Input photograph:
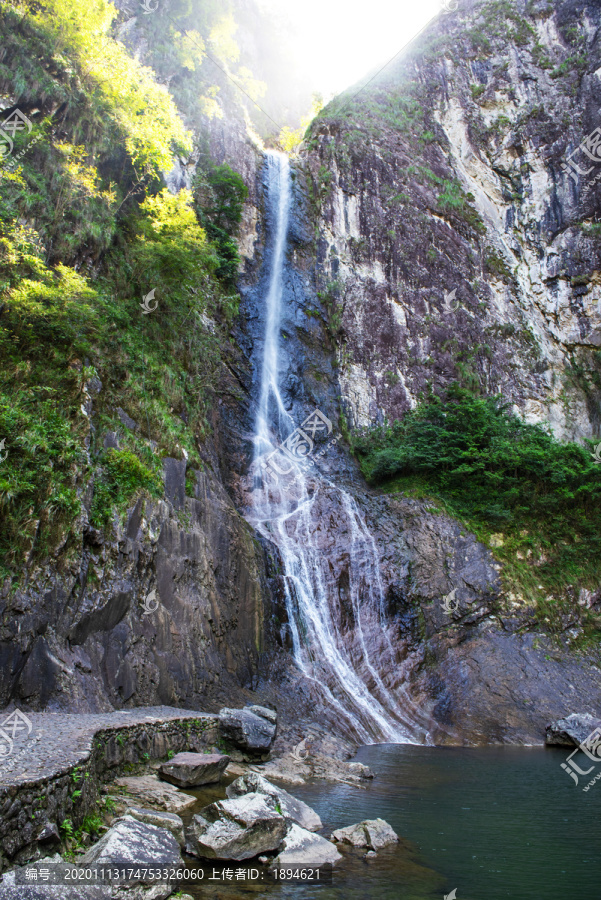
{"type": "Point", "coordinates": [492, 823]}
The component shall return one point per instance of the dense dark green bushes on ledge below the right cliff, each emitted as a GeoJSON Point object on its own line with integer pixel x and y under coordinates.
{"type": "Point", "coordinates": [495, 472]}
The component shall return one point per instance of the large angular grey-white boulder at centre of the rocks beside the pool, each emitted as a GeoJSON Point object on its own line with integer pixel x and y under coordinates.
{"type": "Point", "coordinates": [237, 829]}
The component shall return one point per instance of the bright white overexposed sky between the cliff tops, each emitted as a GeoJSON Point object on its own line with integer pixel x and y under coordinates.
{"type": "Point", "coordinates": [342, 40]}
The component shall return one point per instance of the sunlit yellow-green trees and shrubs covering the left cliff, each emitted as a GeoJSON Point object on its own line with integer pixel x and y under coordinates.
{"type": "Point", "coordinates": [67, 210]}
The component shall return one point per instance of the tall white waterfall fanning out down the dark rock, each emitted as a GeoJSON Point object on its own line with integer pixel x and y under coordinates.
{"type": "Point", "coordinates": [340, 642]}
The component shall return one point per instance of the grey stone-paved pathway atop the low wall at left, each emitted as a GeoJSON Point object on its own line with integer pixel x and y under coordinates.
{"type": "Point", "coordinates": [37, 745]}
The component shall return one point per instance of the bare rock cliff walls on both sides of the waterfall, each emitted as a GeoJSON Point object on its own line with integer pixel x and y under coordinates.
{"type": "Point", "coordinates": [435, 238]}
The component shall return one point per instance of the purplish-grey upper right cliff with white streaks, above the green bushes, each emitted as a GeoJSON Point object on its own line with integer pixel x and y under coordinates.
{"type": "Point", "coordinates": [455, 242]}
